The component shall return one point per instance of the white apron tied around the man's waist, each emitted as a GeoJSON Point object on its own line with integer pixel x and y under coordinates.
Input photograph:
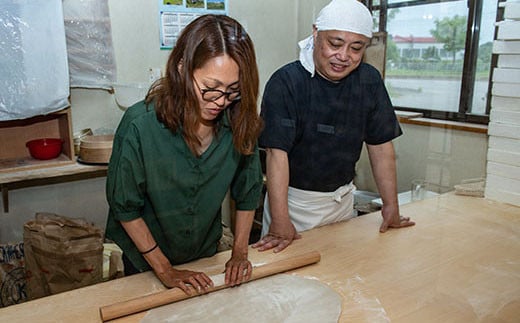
{"type": "Point", "coordinates": [310, 209]}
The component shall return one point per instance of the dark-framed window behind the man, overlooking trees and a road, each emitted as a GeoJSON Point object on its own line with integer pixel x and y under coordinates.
{"type": "Point", "coordinates": [439, 59]}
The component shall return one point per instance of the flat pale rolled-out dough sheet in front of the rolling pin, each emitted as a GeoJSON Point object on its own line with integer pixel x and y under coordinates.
{"type": "Point", "coordinates": [278, 298]}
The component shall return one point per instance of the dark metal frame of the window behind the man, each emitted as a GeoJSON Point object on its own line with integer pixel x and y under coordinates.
{"type": "Point", "coordinates": [470, 58]}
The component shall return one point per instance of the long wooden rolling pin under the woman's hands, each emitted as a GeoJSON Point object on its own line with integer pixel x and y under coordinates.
{"type": "Point", "coordinates": [168, 296]}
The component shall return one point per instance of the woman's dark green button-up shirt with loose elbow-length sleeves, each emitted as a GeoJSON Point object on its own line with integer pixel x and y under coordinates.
{"type": "Point", "coordinates": [153, 174]}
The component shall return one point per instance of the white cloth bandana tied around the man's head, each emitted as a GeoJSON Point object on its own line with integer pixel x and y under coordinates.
{"type": "Point", "coordinates": [344, 15]}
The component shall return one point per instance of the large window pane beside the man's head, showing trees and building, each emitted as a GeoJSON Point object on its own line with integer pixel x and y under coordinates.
{"type": "Point", "coordinates": [426, 55]}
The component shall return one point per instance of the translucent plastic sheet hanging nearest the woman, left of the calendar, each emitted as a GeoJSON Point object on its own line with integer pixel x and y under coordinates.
{"type": "Point", "coordinates": [89, 43]}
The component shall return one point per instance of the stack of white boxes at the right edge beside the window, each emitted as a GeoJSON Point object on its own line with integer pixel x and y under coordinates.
{"type": "Point", "coordinates": [503, 167]}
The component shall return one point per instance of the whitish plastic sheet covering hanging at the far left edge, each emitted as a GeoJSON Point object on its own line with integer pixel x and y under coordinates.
{"type": "Point", "coordinates": [34, 77]}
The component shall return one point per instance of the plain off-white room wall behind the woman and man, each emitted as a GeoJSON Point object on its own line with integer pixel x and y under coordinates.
{"type": "Point", "coordinates": [275, 27]}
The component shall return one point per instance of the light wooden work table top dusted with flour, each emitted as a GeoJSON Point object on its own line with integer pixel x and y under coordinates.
{"type": "Point", "coordinates": [460, 263]}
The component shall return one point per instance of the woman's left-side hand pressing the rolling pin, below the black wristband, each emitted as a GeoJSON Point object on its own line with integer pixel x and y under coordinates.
{"type": "Point", "coordinates": [199, 281]}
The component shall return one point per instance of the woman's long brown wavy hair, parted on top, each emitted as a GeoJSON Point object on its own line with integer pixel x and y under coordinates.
{"type": "Point", "coordinates": [174, 95]}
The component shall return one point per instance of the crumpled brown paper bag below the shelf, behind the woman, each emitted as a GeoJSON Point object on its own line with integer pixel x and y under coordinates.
{"type": "Point", "coordinates": [61, 254]}
